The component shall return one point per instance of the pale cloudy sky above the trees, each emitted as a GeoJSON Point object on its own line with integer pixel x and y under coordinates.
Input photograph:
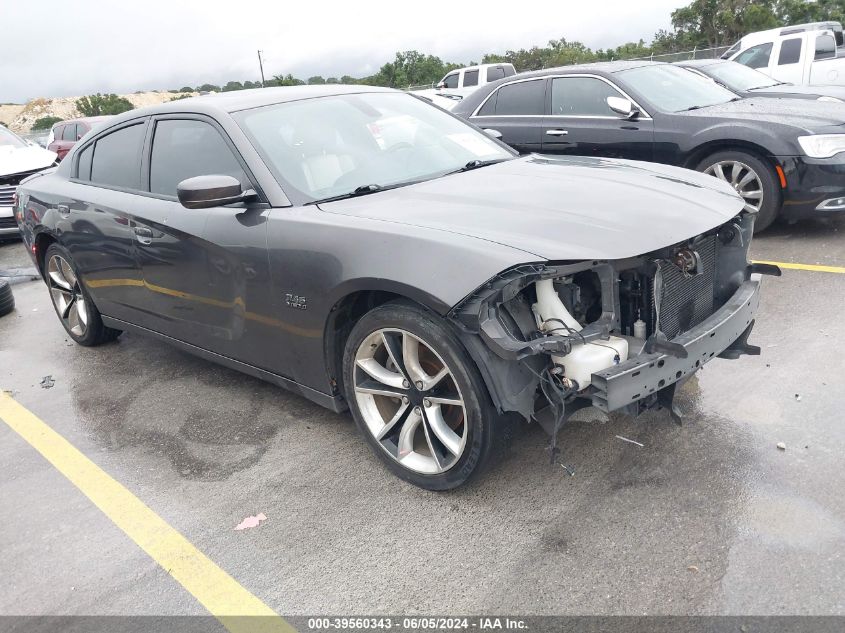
{"type": "Point", "coordinates": [59, 48]}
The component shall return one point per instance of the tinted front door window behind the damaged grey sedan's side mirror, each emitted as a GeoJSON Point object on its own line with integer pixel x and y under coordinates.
{"type": "Point", "coordinates": [184, 148]}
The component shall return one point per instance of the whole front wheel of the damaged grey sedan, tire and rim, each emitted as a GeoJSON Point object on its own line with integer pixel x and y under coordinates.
{"type": "Point", "coordinates": [426, 438]}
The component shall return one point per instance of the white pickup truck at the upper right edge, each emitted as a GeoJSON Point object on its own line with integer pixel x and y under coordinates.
{"type": "Point", "coordinates": [805, 54]}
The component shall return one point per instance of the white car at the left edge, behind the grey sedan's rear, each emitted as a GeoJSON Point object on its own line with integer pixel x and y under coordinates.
{"type": "Point", "coordinates": [18, 159]}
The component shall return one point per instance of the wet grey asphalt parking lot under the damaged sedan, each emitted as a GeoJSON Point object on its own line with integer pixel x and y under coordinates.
{"type": "Point", "coordinates": [707, 518]}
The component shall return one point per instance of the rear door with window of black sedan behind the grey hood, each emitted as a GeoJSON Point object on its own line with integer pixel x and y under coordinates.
{"type": "Point", "coordinates": [516, 109]}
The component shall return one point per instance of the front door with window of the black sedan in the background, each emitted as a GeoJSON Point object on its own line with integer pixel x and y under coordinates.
{"type": "Point", "coordinates": [581, 123]}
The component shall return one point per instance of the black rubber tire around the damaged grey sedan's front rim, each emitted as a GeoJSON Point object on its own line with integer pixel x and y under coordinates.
{"type": "Point", "coordinates": [480, 418]}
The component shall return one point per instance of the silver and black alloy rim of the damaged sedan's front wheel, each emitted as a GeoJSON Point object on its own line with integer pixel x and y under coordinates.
{"type": "Point", "coordinates": [410, 401]}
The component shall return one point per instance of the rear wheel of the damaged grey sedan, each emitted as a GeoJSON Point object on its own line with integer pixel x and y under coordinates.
{"type": "Point", "coordinates": [74, 307]}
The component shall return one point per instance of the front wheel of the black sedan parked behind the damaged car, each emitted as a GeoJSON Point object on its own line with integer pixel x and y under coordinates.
{"type": "Point", "coordinates": [751, 178]}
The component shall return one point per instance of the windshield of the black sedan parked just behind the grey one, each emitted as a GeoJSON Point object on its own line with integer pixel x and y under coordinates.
{"type": "Point", "coordinates": [674, 89]}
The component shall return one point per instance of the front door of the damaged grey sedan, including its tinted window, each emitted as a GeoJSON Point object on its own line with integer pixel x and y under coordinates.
{"type": "Point", "coordinates": [205, 270]}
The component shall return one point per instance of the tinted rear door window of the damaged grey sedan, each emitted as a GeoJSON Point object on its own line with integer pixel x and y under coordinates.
{"type": "Point", "coordinates": [117, 158]}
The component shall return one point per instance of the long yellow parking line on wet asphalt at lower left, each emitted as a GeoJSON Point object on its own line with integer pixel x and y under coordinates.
{"type": "Point", "coordinates": [216, 590]}
